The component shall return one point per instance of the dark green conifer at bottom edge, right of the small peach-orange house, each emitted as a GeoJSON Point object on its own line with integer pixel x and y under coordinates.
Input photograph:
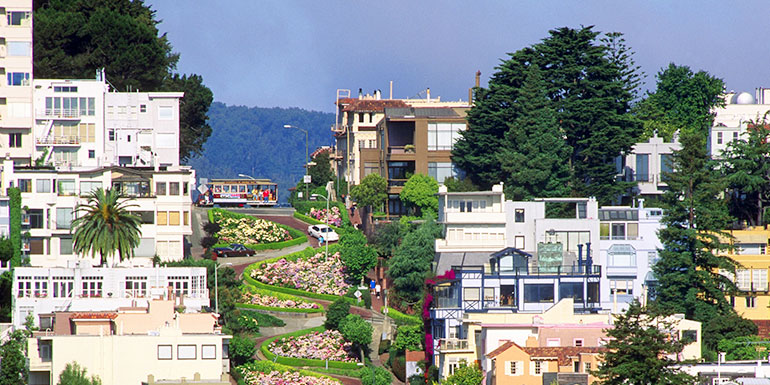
{"type": "Point", "coordinates": [638, 348]}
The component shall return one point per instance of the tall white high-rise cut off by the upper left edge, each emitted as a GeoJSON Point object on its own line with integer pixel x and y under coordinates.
{"type": "Point", "coordinates": [16, 64]}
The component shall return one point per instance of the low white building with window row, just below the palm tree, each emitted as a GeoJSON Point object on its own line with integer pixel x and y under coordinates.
{"type": "Point", "coordinates": [43, 291]}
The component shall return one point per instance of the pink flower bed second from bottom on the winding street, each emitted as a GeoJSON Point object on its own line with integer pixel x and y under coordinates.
{"type": "Point", "coordinates": [326, 345]}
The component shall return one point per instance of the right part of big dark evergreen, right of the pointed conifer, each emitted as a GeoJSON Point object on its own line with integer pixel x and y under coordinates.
{"type": "Point", "coordinates": [592, 98]}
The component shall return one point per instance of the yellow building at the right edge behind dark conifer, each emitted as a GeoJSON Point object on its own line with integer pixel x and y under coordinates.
{"type": "Point", "coordinates": [750, 252]}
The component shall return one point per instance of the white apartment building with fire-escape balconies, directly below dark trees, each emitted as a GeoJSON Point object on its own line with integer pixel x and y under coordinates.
{"type": "Point", "coordinates": [84, 124]}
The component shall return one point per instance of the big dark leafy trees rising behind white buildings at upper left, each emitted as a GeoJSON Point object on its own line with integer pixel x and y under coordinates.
{"type": "Point", "coordinates": [75, 38]}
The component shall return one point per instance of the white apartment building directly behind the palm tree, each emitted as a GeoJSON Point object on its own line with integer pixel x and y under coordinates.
{"type": "Point", "coordinates": [49, 198]}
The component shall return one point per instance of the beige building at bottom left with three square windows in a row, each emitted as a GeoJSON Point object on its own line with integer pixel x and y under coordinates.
{"type": "Point", "coordinates": [132, 346]}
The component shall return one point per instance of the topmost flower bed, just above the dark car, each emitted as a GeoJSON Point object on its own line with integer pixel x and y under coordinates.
{"type": "Point", "coordinates": [249, 230]}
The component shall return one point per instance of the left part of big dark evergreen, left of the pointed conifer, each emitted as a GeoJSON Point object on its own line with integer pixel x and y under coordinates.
{"type": "Point", "coordinates": [494, 108]}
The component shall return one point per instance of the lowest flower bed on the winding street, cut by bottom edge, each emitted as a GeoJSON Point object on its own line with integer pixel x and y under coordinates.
{"type": "Point", "coordinates": [269, 373]}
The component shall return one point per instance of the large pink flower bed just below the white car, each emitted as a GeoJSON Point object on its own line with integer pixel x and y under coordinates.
{"type": "Point", "coordinates": [317, 274]}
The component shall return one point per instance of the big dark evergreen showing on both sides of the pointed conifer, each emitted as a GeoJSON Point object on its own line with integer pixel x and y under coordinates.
{"type": "Point", "coordinates": [589, 88]}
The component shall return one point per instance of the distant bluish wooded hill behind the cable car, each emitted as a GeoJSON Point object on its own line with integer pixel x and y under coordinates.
{"type": "Point", "coordinates": [253, 141]}
